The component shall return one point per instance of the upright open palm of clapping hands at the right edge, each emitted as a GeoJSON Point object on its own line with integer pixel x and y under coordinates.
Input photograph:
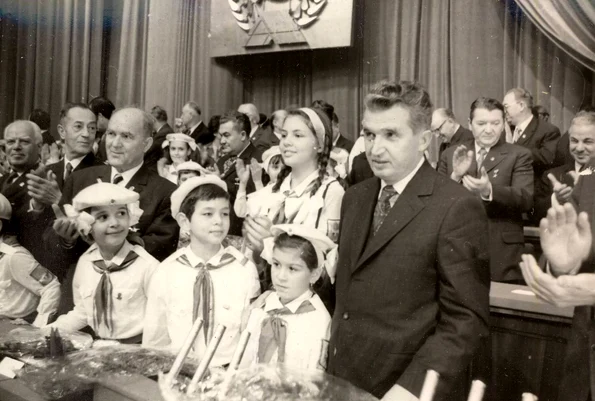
{"type": "Point", "coordinates": [565, 238]}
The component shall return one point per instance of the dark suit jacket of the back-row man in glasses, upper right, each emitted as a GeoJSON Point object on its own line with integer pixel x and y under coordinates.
{"type": "Point", "coordinates": [541, 138]}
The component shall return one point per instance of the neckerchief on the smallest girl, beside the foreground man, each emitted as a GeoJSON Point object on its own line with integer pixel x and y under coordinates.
{"type": "Point", "coordinates": [273, 333]}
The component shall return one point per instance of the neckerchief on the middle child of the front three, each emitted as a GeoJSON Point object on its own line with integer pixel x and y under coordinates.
{"type": "Point", "coordinates": [203, 294]}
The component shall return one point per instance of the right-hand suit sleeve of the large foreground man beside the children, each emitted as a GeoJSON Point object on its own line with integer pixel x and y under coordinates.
{"type": "Point", "coordinates": [463, 296]}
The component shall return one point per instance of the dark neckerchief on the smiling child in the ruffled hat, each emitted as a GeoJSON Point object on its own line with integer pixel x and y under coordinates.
{"type": "Point", "coordinates": [103, 292]}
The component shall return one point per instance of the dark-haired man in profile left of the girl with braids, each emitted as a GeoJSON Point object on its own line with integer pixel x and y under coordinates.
{"type": "Point", "coordinates": [235, 144]}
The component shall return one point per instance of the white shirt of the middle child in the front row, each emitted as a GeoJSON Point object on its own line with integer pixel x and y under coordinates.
{"type": "Point", "coordinates": [171, 300]}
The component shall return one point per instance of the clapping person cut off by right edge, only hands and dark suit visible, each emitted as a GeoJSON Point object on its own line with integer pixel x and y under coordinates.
{"type": "Point", "coordinates": [569, 279]}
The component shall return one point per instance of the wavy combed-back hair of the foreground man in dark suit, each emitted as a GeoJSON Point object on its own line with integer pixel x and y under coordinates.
{"type": "Point", "coordinates": [409, 95]}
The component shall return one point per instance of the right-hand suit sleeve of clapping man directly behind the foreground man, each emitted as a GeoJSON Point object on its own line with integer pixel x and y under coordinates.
{"type": "Point", "coordinates": [518, 197]}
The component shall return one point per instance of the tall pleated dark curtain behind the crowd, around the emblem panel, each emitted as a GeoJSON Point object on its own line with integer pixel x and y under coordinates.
{"type": "Point", "coordinates": [147, 53]}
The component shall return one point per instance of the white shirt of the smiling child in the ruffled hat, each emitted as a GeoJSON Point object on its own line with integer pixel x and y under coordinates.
{"type": "Point", "coordinates": [130, 288]}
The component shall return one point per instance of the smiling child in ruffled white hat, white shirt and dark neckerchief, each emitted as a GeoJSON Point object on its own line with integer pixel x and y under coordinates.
{"type": "Point", "coordinates": [111, 278]}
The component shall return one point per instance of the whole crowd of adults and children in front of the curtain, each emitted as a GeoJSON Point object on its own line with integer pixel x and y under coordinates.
{"type": "Point", "coordinates": [361, 259]}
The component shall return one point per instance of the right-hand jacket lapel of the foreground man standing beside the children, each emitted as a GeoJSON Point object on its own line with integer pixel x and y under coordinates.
{"type": "Point", "coordinates": [408, 206]}
